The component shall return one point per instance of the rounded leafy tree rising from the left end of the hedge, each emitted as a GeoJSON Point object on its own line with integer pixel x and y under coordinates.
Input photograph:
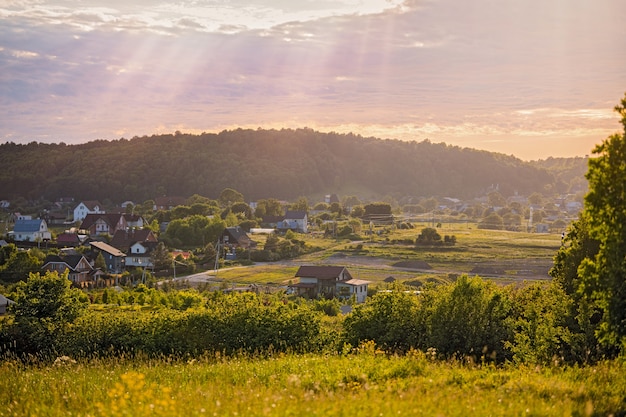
{"type": "Point", "coordinates": [49, 297]}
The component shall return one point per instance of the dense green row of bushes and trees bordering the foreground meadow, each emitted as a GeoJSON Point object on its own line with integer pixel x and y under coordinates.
{"type": "Point", "coordinates": [467, 318]}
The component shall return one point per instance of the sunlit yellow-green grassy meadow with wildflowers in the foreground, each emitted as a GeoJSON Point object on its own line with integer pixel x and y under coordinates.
{"type": "Point", "coordinates": [365, 384]}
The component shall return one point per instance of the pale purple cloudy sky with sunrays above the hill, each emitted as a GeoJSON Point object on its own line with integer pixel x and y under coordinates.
{"type": "Point", "coordinates": [530, 78]}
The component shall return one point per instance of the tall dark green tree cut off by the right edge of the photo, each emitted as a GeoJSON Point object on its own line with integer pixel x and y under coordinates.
{"type": "Point", "coordinates": [591, 264]}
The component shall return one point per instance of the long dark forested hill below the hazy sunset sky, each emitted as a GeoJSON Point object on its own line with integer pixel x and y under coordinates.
{"type": "Point", "coordinates": [260, 164]}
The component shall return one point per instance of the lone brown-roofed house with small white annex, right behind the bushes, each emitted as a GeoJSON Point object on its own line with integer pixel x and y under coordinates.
{"type": "Point", "coordinates": [329, 282]}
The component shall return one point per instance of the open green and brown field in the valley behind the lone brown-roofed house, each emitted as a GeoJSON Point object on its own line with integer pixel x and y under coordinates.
{"type": "Point", "coordinates": [506, 257]}
